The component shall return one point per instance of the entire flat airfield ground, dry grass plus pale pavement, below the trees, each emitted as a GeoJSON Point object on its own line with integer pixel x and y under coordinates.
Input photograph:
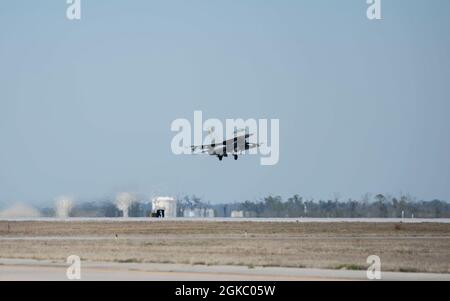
{"type": "Point", "coordinates": [192, 249]}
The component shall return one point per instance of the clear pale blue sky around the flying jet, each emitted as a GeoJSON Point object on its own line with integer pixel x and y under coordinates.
{"type": "Point", "coordinates": [86, 106]}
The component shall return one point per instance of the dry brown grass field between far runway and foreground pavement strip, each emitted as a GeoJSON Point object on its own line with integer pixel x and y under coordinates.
{"type": "Point", "coordinates": [418, 247]}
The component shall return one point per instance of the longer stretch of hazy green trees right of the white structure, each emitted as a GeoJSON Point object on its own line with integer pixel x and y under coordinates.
{"type": "Point", "coordinates": [379, 205]}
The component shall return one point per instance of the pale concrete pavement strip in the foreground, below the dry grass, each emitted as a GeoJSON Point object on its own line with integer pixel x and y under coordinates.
{"type": "Point", "coordinates": [34, 270]}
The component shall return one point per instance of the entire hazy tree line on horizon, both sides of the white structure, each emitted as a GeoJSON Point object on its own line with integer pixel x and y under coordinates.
{"type": "Point", "coordinates": [377, 206]}
